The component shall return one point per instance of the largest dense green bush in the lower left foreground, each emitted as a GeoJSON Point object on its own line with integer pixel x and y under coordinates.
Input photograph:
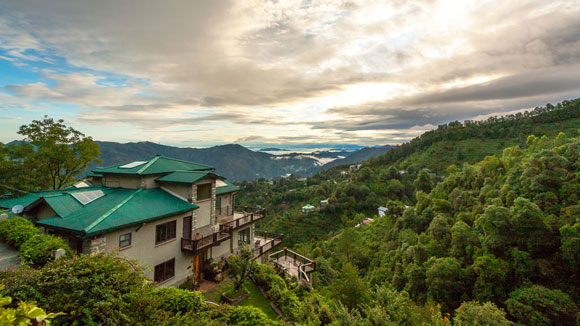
{"type": "Point", "coordinates": [91, 290]}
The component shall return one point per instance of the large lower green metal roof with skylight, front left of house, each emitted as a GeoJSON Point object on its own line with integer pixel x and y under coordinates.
{"type": "Point", "coordinates": [118, 208]}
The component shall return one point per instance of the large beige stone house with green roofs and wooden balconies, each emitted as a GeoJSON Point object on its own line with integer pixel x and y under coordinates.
{"type": "Point", "coordinates": [173, 216]}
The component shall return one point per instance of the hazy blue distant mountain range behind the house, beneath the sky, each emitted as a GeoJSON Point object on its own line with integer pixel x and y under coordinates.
{"type": "Point", "coordinates": [233, 161]}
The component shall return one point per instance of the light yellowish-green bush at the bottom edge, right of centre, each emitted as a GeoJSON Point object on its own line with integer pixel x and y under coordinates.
{"type": "Point", "coordinates": [474, 313]}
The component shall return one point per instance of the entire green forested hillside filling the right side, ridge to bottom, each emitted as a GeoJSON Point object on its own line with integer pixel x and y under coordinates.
{"type": "Point", "coordinates": [469, 220]}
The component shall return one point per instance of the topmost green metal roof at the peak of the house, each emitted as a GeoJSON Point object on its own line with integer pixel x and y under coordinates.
{"type": "Point", "coordinates": [155, 165]}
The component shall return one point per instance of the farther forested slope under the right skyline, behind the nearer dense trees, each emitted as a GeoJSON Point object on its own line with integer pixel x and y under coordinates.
{"type": "Point", "coordinates": [397, 174]}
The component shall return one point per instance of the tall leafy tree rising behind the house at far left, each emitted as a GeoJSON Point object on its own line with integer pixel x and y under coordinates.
{"type": "Point", "coordinates": [61, 152]}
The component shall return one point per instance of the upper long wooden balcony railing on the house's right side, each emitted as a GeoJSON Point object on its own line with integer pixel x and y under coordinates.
{"type": "Point", "coordinates": [225, 231]}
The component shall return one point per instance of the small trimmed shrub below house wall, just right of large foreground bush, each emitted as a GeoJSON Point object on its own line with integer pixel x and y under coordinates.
{"type": "Point", "coordinates": [178, 300]}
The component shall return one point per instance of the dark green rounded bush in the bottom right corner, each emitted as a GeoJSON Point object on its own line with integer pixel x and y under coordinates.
{"type": "Point", "coordinates": [538, 306]}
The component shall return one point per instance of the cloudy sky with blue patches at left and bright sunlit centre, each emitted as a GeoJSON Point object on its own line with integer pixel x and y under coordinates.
{"type": "Point", "coordinates": [201, 73]}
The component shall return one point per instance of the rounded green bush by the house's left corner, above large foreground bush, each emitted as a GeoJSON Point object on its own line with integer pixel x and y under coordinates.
{"type": "Point", "coordinates": [40, 249]}
